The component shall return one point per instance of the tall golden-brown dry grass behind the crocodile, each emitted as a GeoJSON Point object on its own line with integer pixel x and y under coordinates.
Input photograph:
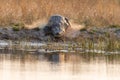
{"type": "Point", "coordinates": [92, 13]}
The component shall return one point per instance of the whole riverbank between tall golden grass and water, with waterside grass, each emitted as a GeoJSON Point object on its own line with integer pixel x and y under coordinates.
{"type": "Point", "coordinates": [97, 40]}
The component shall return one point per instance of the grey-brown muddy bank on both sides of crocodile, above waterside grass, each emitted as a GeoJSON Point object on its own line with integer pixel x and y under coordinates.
{"type": "Point", "coordinates": [37, 34]}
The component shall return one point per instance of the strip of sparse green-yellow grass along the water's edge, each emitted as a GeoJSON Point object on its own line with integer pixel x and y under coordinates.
{"type": "Point", "coordinates": [100, 45]}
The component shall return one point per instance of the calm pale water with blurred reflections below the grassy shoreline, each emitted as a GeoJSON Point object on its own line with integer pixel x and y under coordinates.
{"type": "Point", "coordinates": [58, 66]}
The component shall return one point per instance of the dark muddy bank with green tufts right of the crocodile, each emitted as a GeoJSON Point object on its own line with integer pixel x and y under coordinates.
{"type": "Point", "coordinates": [101, 33]}
